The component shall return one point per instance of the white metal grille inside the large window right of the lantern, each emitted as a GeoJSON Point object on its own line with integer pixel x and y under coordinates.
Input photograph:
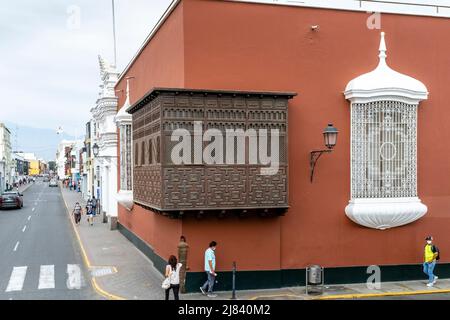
{"type": "Point", "coordinates": [384, 150]}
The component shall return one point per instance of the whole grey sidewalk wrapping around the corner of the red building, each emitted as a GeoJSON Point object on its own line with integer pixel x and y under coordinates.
{"type": "Point", "coordinates": [121, 271]}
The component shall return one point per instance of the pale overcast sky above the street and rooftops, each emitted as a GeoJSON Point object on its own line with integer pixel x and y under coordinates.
{"type": "Point", "coordinates": [49, 72]}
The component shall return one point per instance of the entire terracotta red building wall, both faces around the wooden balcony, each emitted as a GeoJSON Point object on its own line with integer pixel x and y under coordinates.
{"type": "Point", "coordinates": [226, 45]}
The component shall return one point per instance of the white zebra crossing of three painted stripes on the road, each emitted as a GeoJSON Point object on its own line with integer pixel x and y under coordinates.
{"type": "Point", "coordinates": [75, 279]}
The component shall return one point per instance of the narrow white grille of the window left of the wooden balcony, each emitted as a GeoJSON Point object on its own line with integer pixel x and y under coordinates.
{"type": "Point", "coordinates": [125, 158]}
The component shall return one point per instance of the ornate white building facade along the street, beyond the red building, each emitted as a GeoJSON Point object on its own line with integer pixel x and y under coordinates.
{"type": "Point", "coordinates": [105, 163]}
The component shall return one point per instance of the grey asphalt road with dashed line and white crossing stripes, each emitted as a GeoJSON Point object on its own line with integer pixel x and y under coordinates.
{"type": "Point", "coordinates": [40, 258]}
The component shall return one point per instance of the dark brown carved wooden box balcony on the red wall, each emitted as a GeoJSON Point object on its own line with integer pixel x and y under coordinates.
{"type": "Point", "coordinates": [199, 185]}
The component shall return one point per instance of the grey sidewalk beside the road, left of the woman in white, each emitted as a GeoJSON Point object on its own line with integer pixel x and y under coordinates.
{"type": "Point", "coordinates": [120, 270]}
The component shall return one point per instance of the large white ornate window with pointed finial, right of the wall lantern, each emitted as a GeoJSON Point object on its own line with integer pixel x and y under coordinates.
{"type": "Point", "coordinates": [384, 147]}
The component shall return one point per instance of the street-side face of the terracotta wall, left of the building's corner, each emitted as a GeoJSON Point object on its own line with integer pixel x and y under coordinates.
{"type": "Point", "coordinates": [160, 64]}
